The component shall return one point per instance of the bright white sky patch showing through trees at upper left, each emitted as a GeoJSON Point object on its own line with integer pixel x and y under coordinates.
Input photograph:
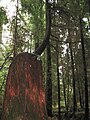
{"type": "Point", "coordinates": [10, 8]}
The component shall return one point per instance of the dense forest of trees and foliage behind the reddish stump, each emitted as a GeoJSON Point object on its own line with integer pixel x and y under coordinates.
{"type": "Point", "coordinates": [65, 61]}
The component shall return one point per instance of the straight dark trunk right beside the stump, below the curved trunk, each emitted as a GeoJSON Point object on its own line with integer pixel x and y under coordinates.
{"type": "Point", "coordinates": [49, 82]}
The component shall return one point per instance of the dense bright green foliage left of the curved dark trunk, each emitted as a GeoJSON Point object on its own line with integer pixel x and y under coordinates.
{"type": "Point", "coordinates": [36, 11]}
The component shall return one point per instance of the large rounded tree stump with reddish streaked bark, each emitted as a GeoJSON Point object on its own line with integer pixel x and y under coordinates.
{"type": "Point", "coordinates": [24, 94]}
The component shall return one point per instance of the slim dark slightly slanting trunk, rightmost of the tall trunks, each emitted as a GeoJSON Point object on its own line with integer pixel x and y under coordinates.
{"type": "Point", "coordinates": [85, 71]}
